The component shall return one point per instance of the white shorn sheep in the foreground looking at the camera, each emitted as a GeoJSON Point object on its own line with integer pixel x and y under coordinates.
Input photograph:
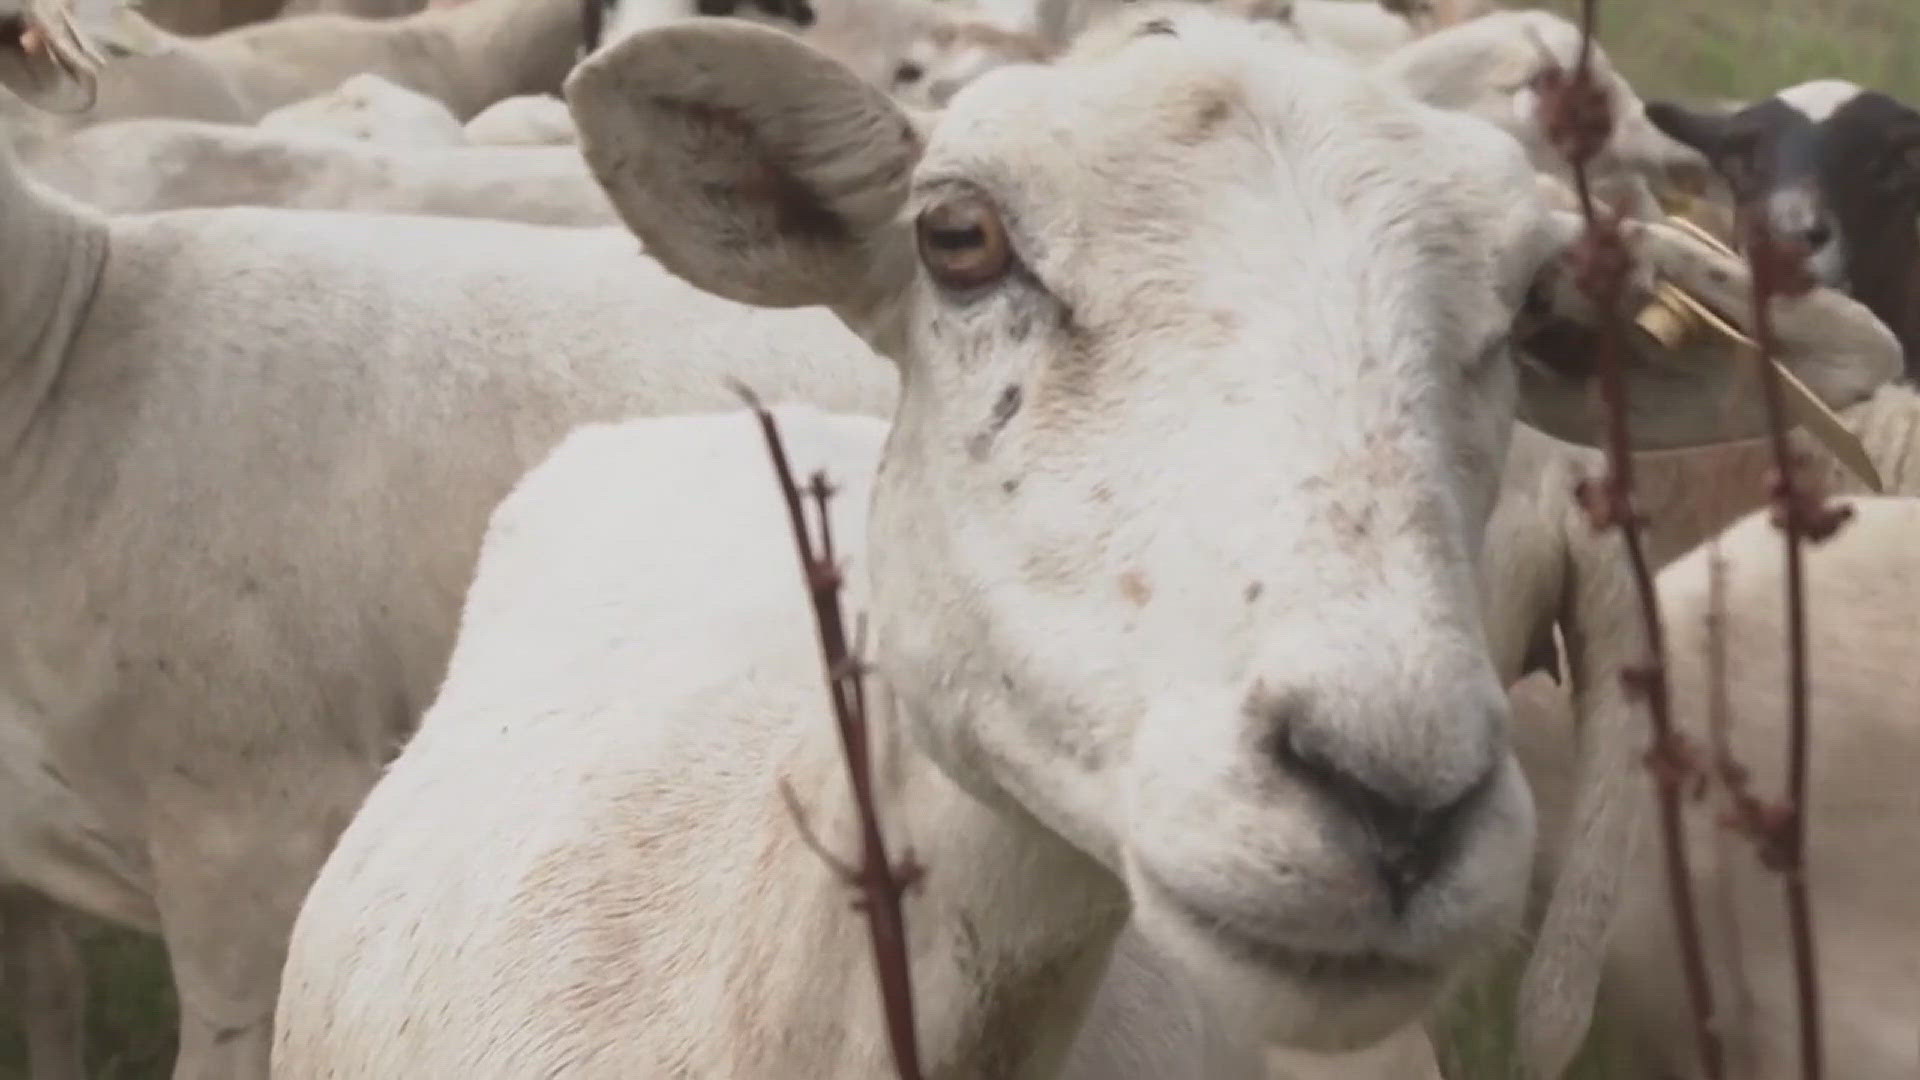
{"type": "Point", "coordinates": [1259, 710]}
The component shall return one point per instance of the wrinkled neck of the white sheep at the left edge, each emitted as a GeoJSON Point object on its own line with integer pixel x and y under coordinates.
{"type": "Point", "coordinates": [57, 257]}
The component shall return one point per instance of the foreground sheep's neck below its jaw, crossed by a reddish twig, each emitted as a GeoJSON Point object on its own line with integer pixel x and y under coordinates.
{"type": "Point", "coordinates": [1009, 933]}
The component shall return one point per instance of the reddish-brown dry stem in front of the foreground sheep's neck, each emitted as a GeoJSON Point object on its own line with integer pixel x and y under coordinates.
{"type": "Point", "coordinates": [878, 881]}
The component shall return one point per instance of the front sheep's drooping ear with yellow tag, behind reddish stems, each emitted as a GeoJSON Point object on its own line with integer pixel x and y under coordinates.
{"type": "Point", "coordinates": [1702, 389]}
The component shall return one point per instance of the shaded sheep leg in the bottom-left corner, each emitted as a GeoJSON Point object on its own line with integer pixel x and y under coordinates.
{"type": "Point", "coordinates": [47, 985]}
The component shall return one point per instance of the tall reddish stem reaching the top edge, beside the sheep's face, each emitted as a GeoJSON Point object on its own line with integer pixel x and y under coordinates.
{"type": "Point", "coordinates": [1577, 114]}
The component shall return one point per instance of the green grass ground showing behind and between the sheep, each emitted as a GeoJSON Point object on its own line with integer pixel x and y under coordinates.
{"type": "Point", "coordinates": [1685, 49]}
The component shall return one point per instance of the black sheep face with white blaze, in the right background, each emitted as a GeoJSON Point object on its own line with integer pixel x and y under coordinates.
{"type": "Point", "coordinates": [1836, 170]}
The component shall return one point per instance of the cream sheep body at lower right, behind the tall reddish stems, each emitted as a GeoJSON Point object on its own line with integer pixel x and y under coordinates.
{"type": "Point", "coordinates": [1865, 702]}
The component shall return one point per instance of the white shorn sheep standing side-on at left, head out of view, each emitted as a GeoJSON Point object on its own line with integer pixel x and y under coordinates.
{"type": "Point", "coordinates": [251, 456]}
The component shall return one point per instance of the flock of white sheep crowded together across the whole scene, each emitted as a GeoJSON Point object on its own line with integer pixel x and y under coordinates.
{"type": "Point", "coordinates": [402, 620]}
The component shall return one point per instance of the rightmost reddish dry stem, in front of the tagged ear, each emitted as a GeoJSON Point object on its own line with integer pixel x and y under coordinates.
{"type": "Point", "coordinates": [1798, 516]}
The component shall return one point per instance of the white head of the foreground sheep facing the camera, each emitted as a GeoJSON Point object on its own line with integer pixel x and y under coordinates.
{"type": "Point", "coordinates": [1205, 399]}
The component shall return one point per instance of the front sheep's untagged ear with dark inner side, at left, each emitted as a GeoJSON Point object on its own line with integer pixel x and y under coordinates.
{"type": "Point", "coordinates": [752, 164]}
